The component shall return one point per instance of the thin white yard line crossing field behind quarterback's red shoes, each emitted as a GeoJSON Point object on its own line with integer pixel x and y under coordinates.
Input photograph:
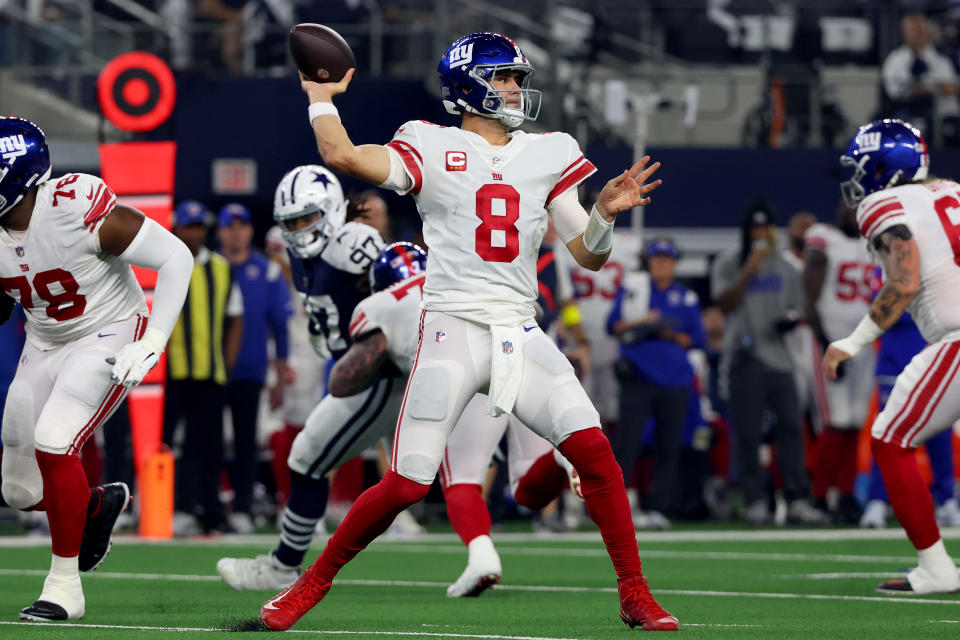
{"type": "Point", "coordinates": [517, 587]}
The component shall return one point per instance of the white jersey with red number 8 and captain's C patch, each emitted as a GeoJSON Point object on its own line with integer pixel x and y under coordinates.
{"type": "Point", "coordinates": [484, 214]}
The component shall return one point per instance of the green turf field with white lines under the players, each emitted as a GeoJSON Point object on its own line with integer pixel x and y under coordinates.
{"type": "Point", "coordinates": [744, 584]}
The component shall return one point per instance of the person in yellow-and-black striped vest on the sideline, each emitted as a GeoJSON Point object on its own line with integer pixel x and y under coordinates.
{"type": "Point", "coordinates": [202, 348]}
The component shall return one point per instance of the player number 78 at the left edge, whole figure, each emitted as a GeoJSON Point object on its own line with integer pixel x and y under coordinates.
{"type": "Point", "coordinates": [66, 248]}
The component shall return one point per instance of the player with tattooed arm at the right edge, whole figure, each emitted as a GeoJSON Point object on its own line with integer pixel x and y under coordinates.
{"type": "Point", "coordinates": [913, 224]}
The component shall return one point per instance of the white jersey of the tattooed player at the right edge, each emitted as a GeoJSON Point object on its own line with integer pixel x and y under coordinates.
{"type": "Point", "coordinates": [932, 212]}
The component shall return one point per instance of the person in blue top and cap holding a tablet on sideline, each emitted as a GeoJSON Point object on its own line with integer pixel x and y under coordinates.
{"type": "Point", "coordinates": [656, 320]}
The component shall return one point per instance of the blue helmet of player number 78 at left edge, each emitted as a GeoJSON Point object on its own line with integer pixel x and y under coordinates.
{"type": "Point", "coordinates": [24, 160]}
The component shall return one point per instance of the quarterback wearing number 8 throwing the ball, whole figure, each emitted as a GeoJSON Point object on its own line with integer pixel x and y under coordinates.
{"type": "Point", "coordinates": [484, 194]}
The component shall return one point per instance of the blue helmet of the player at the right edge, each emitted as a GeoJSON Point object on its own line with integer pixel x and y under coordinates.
{"type": "Point", "coordinates": [883, 154]}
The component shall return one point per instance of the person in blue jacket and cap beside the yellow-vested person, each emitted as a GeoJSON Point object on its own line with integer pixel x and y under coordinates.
{"type": "Point", "coordinates": [266, 307]}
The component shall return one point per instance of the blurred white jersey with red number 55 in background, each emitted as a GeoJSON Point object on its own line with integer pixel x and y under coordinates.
{"type": "Point", "coordinates": [848, 284]}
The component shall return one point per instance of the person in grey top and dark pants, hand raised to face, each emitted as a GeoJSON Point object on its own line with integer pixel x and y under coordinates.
{"type": "Point", "coordinates": [762, 296]}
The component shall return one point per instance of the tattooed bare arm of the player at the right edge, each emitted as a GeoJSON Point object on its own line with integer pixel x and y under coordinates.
{"type": "Point", "coordinates": [901, 264]}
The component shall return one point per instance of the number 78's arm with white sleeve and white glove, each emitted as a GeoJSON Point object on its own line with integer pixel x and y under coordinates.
{"type": "Point", "coordinates": [140, 241]}
